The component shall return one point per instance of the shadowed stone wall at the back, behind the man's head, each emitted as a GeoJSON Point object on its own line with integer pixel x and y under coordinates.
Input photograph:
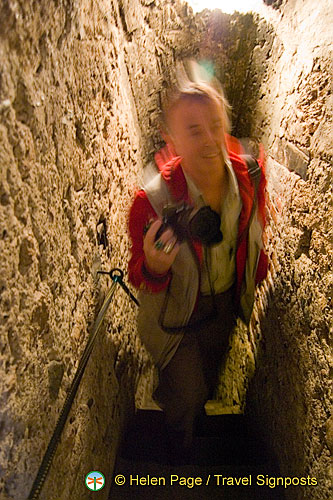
{"type": "Point", "coordinates": [230, 43]}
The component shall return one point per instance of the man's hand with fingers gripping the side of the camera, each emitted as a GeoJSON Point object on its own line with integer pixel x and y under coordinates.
{"type": "Point", "coordinates": [160, 254]}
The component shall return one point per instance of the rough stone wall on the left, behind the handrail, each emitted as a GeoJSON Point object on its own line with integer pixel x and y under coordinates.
{"type": "Point", "coordinates": [78, 80]}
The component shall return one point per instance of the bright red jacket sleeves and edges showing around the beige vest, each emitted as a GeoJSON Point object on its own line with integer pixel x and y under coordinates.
{"type": "Point", "coordinates": [142, 212]}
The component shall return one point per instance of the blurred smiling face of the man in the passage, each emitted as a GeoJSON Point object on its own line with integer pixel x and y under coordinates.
{"type": "Point", "coordinates": [197, 134]}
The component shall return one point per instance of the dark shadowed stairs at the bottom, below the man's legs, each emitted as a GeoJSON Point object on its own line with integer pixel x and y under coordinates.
{"type": "Point", "coordinates": [227, 461]}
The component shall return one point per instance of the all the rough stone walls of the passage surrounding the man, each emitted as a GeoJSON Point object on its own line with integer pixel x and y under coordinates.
{"type": "Point", "coordinates": [80, 87]}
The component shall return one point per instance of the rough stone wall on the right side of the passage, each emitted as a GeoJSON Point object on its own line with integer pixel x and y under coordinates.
{"type": "Point", "coordinates": [290, 396]}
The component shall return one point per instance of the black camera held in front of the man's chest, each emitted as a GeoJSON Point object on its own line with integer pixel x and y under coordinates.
{"type": "Point", "coordinates": [187, 222]}
